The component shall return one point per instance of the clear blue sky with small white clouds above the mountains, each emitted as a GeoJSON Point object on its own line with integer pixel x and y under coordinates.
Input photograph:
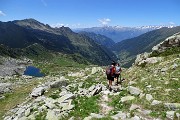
{"type": "Point", "coordinates": [91, 13]}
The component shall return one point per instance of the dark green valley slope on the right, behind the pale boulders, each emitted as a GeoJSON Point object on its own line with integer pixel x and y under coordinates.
{"type": "Point", "coordinates": [128, 49]}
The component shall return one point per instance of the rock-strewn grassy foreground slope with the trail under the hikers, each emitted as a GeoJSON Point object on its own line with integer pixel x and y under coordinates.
{"type": "Point", "coordinates": [150, 91]}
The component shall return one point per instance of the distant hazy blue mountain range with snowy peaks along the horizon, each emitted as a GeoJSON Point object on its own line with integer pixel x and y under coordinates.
{"type": "Point", "coordinates": [119, 33]}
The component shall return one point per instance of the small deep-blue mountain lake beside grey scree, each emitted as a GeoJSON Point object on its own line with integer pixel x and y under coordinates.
{"type": "Point", "coordinates": [33, 71]}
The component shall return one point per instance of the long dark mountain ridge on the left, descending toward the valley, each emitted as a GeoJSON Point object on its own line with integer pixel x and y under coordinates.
{"type": "Point", "coordinates": [22, 33]}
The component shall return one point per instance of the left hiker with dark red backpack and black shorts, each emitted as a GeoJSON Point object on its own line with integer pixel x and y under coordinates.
{"type": "Point", "coordinates": [110, 72]}
